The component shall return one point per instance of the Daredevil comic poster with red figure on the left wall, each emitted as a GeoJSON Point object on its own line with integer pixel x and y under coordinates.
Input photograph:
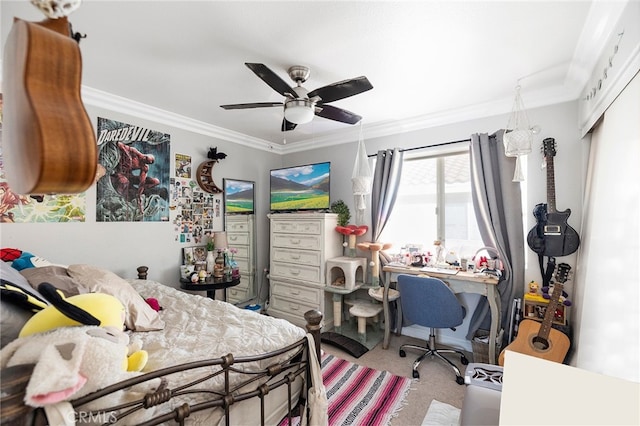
{"type": "Point", "coordinates": [135, 187]}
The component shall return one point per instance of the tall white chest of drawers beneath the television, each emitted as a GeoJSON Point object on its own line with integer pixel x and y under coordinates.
{"type": "Point", "coordinates": [300, 245]}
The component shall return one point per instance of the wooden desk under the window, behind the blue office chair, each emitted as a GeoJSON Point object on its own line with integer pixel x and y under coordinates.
{"type": "Point", "coordinates": [462, 282]}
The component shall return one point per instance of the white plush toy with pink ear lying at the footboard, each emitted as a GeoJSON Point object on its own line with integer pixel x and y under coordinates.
{"type": "Point", "coordinates": [71, 362]}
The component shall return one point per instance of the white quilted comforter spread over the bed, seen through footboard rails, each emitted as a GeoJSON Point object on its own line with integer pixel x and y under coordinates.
{"type": "Point", "coordinates": [198, 328]}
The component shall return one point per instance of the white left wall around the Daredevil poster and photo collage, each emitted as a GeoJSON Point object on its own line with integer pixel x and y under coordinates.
{"type": "Point", "coordinates": [123, 246]}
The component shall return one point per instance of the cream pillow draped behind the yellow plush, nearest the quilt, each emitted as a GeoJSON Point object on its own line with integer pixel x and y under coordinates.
{"type": "Point", "coordinates": [139, 317]}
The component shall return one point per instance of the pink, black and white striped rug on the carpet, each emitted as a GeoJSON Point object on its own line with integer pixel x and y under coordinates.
{"type": "Point", "coordinates": [360, 395]}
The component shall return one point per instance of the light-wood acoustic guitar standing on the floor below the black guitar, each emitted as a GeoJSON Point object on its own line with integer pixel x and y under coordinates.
{"type": "Point", "coordinates": [540, 339]}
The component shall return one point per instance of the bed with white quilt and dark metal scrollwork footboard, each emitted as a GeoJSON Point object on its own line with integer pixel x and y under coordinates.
{"type": "Point", "coordinates": [216, 363]}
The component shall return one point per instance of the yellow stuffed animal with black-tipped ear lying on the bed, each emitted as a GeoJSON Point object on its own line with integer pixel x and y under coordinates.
{"type": "Point", "coordinates": [85, 309]}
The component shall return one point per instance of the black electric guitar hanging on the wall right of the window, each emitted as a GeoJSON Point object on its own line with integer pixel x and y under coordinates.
{"type": "Point", "coordinates": [552, 236]}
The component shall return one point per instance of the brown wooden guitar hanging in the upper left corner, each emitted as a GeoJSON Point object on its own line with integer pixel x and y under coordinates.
{"type": "Point", "coordinates": [49, 145]}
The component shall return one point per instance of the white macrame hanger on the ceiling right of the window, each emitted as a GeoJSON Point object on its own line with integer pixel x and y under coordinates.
{"type": "Point", "coordinates": [518, 135]}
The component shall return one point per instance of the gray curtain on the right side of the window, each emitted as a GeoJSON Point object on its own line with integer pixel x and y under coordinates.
{"type": "Point", "coordinates": [498, 207]}
